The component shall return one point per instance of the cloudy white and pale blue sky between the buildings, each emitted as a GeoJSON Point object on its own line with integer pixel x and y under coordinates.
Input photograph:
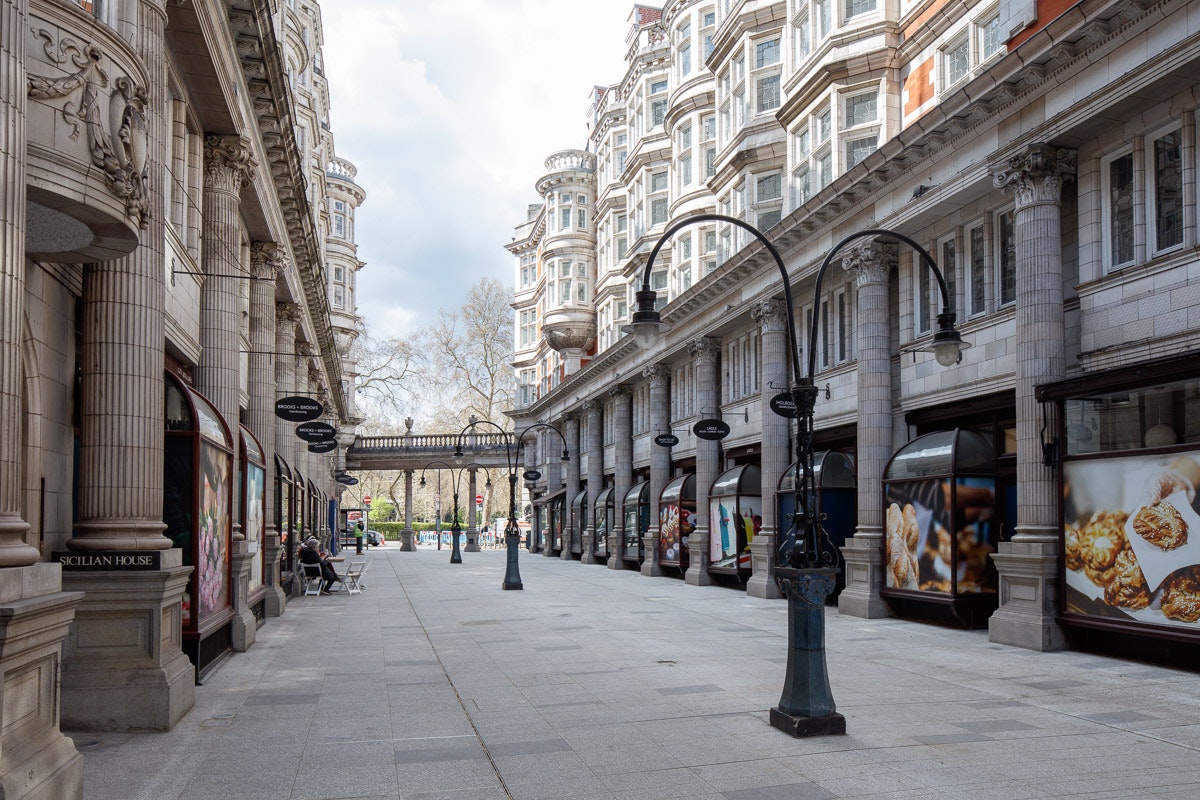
{"type": "Point", "coordinates": [449, 110]}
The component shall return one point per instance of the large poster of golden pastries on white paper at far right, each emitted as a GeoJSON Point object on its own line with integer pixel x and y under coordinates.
{"type": "Point", "coordinates": [1132, 539]}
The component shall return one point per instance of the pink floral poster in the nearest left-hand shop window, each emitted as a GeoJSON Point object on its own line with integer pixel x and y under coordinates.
{"type": "Point", "coordinates": [213, 545]}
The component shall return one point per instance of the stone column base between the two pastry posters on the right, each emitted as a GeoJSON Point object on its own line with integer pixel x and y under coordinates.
{"type": "Point", "coordinates": [1029, 587]}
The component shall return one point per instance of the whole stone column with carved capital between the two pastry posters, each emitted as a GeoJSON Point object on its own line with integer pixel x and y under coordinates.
{"type": "Point", "coordinates": [1029, 564]}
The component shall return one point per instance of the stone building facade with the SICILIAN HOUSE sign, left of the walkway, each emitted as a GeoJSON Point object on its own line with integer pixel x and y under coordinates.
{"type": "Point", "coordinates": [172, 208]}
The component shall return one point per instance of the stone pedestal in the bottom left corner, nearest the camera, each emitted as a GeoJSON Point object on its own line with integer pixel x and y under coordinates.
{"type": "Point", "coordinates": [40, 763]}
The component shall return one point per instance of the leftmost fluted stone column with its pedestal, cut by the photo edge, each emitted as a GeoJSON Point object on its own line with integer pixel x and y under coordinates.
{"type": "Point", "coordinates": [37, 761]}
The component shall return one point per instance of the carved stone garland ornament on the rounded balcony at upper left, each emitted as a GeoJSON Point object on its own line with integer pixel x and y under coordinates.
{"type": "Point", "coordinates": [121, 151]}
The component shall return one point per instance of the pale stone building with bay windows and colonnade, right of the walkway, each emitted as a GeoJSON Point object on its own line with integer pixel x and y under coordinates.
{"type": "Point", "coordinates": [1043, 157]}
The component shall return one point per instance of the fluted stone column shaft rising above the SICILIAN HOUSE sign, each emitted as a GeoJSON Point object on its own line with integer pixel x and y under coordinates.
{"type": "Point", "coordinates": [122, 423]}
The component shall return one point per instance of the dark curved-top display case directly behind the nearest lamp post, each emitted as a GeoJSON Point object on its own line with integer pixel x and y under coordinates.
{"type": "Point", "coordinates": [836, 503]}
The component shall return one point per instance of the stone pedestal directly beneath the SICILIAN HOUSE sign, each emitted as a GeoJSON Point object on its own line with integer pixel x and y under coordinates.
{"type": "Point", "coordinates": [123, 664]}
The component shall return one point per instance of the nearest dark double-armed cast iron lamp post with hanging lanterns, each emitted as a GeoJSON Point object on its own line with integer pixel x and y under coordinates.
{"type": "Point", "coordinates": [805, 575]}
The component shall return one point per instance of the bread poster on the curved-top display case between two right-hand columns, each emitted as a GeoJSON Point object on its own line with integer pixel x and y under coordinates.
{"type": "Point", "coordinates": [940, 534]}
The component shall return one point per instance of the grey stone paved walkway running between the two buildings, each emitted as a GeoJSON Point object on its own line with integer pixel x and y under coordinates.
{"type": "Point", "coordinates": [601, 685]}
